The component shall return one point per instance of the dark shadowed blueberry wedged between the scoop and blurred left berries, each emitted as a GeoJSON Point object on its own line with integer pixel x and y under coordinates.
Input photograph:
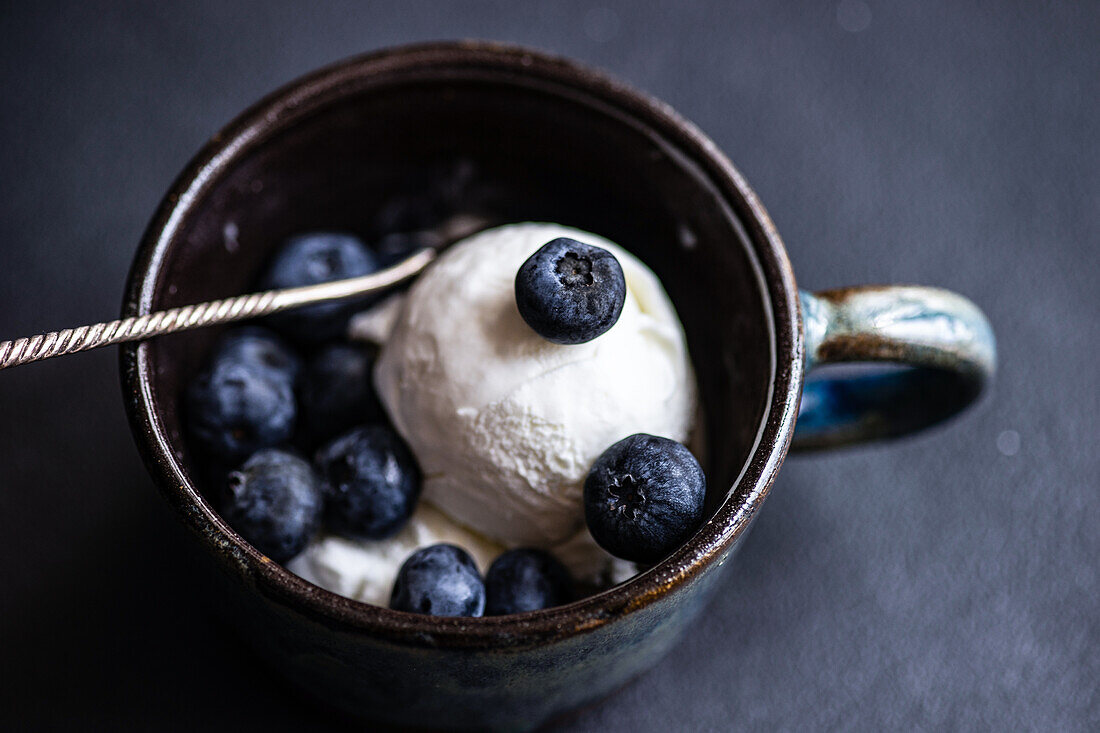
{"type": "Point", "coordinates": [338, 392]}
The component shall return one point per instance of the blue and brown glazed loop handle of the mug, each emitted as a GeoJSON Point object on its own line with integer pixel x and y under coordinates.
{"type": "Point", "coordinates": [942, 342]}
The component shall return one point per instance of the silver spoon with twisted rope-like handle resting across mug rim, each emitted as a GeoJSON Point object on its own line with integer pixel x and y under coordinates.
{"type": "Point", "coordinates": [227, 311]}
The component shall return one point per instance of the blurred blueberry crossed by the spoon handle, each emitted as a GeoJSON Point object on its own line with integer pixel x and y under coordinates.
{"type": "Point", "coordinates": [318, 258]}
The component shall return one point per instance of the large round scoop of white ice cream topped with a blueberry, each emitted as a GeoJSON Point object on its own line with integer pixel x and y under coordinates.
{"type": "Point", "coordinates": [505, 424]}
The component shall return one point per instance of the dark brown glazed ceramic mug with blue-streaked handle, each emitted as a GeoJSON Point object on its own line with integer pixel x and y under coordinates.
{"type": "Point", "coordinates": [545, 140]}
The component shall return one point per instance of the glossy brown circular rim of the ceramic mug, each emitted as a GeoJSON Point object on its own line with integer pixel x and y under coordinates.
{"type": "Point", "coordinates": [334, 82]}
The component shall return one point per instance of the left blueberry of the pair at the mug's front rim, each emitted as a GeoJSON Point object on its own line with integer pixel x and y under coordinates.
{"type": "Point", "coordinates": [441, 581]}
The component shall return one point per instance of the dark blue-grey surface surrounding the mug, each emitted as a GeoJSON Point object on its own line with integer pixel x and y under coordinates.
{"type": "Point", "coordinates": [950, 581]}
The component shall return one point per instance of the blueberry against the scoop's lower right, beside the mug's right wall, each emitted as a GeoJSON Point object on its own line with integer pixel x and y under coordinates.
{"type": "Point", "coordinates": [644, 498]}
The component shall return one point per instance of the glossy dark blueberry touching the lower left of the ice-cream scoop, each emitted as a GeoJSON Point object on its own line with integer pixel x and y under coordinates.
{"type": "Point", "coordinates": [372, 483]}
